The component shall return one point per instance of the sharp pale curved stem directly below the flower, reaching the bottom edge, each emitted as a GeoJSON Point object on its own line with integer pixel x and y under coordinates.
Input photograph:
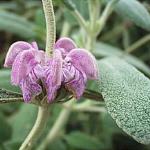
{"type": "Point", "coordinates": [36, 130]}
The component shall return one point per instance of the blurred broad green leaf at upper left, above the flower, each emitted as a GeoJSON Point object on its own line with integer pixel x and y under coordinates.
{"type": "Point", "coordinates": [16, 24]}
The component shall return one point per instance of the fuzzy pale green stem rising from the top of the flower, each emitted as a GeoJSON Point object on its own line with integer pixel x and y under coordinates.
{"type": "Point", "coordinates": [50, 26]}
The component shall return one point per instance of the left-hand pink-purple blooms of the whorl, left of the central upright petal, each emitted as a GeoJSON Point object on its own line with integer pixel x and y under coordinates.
{"type": "Point", "coordinates": [26, 62]}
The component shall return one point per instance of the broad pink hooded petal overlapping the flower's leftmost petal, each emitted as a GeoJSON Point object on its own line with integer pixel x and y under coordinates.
{"type": "Point", "coordinates": [22, 66]}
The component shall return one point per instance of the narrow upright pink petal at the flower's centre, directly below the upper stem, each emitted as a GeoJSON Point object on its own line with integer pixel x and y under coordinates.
{"type": "Point", "coordinates": [53, 75]}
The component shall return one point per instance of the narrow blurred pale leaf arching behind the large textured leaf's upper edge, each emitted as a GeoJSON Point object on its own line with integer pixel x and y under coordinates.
{"type": "Point", "coordinates": [105, 50]}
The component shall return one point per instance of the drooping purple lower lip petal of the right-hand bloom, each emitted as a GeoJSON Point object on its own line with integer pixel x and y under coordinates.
{"type": "Point", "coordinates": [77, 85]}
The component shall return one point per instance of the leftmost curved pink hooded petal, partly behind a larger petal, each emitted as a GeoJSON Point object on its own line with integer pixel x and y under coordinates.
{"type": "Point", "coordinates": [14, 50]}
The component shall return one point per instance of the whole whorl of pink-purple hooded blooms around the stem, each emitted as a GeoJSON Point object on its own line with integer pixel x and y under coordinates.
{"type": "Point", "coordinates": [32, 69]}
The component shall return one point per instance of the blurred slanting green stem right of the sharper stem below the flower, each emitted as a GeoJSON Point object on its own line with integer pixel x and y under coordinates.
{"type": "Point", "coordinates": [57, 127]}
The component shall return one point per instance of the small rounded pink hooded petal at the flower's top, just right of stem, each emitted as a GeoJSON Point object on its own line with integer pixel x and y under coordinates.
{"type": "Point", "coordinates": [65, 43]}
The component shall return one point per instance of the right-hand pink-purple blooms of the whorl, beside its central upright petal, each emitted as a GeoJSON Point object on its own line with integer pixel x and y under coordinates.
{"type": "Point", "coordinates": [78, 66]}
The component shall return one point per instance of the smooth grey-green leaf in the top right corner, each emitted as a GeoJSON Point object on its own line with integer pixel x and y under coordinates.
{"type": "Point", "coordinates": [134, 11]}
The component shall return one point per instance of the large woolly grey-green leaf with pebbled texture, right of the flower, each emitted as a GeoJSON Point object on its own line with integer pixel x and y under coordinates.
{"type": "Point", "coordinates": [126, 92]}
